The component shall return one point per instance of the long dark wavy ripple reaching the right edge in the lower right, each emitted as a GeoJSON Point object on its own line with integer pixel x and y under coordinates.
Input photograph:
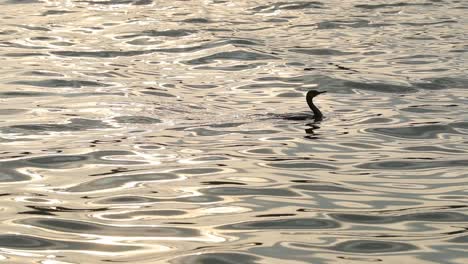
{"type": "Point", "coordinates": [433, 217]}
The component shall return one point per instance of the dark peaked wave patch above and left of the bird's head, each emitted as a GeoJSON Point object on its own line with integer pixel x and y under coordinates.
{"type": "Point", "coordinates": [238, 55]}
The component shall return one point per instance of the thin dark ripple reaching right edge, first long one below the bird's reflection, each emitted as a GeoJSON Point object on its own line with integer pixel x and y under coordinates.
{"type": "Point", "coordinates": [412, 164]}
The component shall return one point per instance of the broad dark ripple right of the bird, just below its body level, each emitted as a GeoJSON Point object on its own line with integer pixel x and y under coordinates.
{"type": "Point", "coordinates": [415, 132]}
